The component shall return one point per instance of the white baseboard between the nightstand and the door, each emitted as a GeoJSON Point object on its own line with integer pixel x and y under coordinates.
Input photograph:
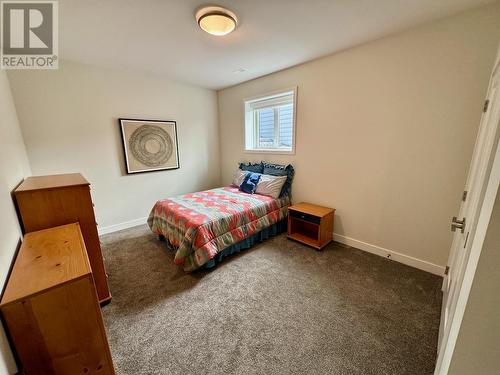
{"type": "Point", "coordinates": [393, 255]}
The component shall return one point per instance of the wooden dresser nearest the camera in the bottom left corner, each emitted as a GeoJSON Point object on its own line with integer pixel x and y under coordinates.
{"type": "Point", "coordinates": [50, 307]}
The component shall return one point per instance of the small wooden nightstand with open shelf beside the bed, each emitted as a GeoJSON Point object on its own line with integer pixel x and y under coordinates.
{"type": "Point", "coordinates": [310, 224]}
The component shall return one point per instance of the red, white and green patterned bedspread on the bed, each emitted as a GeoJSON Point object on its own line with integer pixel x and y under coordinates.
{"type": "Point", "coordinates": [200, 225]}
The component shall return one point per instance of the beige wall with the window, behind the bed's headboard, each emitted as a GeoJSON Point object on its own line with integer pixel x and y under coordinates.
{"type": "Point", "coordinates": [385, 131]}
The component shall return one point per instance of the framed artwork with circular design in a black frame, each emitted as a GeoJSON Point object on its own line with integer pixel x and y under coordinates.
{"type": "Point", "coordinates": [149, 145]}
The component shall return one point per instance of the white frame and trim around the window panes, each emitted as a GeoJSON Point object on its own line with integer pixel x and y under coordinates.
{"type": "Point", "coordinates": [250, 133]}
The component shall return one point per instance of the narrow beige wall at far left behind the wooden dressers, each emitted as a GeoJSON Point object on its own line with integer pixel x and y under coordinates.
{"type": "Point", "coordinates": [14, 167]}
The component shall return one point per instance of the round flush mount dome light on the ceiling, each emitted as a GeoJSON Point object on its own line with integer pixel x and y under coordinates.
{"type": "Point", "coordinates": [216, 20]}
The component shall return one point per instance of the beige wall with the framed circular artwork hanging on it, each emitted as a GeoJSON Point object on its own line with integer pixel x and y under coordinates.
{"type": "Point", "coordinates": [69, 119]}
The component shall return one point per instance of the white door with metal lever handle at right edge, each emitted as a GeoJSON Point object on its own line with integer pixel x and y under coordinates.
{"type": "Point", "coordinates": [464, 225]}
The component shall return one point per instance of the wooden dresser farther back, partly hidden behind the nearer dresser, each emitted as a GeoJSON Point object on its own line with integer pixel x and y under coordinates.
{"type": "Point", "coordinates": [49, 201]}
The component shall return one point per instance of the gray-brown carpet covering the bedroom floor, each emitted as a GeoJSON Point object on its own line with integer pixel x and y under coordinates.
{"type": "Point", "coordinates": [278, 308]}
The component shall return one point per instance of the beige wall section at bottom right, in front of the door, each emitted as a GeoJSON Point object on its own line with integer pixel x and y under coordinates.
{"type": "Point", "coordinates": [477, 350]}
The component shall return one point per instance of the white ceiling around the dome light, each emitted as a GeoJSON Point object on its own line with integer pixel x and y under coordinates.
{"type": "Point", "coordinates": [161, 36]}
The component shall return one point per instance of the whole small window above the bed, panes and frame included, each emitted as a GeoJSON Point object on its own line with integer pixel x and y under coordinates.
{"type": "Point", "coordinates": [270, 123]}
